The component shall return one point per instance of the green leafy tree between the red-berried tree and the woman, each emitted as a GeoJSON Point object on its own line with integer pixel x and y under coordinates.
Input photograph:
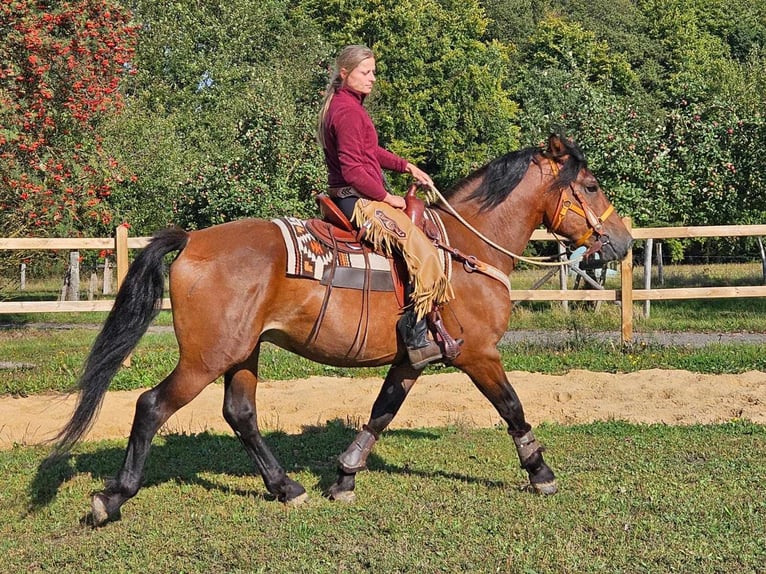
{"type": "Point", "coordinates": [222, 113]}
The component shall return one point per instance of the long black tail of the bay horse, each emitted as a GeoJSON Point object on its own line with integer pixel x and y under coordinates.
{"type": "Point", "coordinates": [136, 305]}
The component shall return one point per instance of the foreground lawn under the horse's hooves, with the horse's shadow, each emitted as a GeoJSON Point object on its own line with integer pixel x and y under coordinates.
{"type": "Point", "coordinates": [640, 499]}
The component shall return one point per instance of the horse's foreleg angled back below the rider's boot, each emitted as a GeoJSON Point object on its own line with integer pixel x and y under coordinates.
{"type": "Point", "coordinates": [397, 384]}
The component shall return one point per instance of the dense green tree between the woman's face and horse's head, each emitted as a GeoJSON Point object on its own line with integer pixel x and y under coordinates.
{"type": "Point", "coordinates": [441, 100]}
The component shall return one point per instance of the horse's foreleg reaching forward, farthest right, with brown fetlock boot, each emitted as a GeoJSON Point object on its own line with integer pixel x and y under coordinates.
{"type": "Point", "coordinates": [488, 375]}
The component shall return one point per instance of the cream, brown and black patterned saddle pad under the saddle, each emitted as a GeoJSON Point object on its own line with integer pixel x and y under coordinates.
{"type": "Point", "coordinates": [308, 257]}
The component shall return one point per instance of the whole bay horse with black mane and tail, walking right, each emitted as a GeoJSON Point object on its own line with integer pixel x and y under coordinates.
{"type": "Point", "coordinates": [230, 293]}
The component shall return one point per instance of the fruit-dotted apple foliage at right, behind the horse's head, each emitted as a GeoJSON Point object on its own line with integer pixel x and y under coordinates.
{"type": "Point", "coordinates": [679, 161]}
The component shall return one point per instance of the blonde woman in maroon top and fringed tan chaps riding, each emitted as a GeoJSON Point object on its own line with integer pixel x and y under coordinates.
{"type": "Point", "coordinates": [355, 162]}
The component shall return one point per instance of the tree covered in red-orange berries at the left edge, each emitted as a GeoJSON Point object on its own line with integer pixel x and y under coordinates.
{"type": "Point", "coordinates": [62, 63]}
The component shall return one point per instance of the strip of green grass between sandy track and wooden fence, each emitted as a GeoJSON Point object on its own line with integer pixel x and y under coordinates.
{"type": "Point", "coordinates": [50, 360]}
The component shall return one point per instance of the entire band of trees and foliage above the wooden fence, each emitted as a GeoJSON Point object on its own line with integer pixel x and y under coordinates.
{"type": "Point", "coordinates": [665, 97]}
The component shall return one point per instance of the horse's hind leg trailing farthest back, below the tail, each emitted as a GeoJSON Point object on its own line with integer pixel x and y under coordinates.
{"type": "Point", "coordinates": [153, 408]}
